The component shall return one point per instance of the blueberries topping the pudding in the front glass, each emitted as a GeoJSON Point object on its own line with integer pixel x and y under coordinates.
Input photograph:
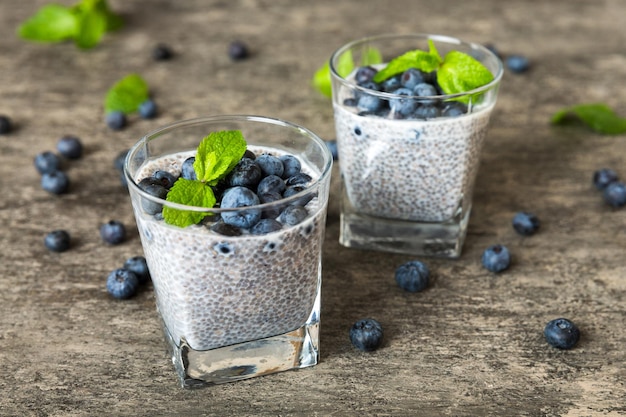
{"type": "Point", "coordinates": [254, 181]}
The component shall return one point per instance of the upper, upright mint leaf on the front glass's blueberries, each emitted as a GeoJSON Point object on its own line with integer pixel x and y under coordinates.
{"type": "Point", "coordinates": [217, 155]}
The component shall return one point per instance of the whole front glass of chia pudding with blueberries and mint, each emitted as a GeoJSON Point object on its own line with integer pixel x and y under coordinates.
{"type": "Point", "coordinates": [237, 272]}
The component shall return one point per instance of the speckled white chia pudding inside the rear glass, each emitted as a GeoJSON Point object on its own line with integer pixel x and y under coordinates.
{"type": "Point", "coordinates": [416, 170]}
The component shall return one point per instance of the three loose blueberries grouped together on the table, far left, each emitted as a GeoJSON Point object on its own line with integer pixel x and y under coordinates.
{"type": "Point", "coordinates": [49, 164]}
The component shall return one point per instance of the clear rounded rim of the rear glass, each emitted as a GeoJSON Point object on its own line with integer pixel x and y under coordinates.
{"type": "Point", "coordinates": [424, 36]}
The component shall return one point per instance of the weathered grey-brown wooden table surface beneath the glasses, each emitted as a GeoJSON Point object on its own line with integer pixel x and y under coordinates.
{"type": "Point", "coordinates": [472, 344]}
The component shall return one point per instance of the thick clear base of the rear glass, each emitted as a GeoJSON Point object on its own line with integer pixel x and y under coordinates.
{"type": "Point", "coordinates": [362, 231]}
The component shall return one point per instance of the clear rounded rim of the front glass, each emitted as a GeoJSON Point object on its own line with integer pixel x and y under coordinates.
{"type": "Point", "coordinates": [314, 185]}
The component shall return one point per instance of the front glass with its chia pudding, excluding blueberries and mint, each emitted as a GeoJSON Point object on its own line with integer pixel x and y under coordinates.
{"type": "Point", "coordinates": [234, 307]}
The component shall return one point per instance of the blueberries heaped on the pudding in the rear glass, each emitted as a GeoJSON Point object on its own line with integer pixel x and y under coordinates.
{"type": "Point", "coordinates": [414, 92]}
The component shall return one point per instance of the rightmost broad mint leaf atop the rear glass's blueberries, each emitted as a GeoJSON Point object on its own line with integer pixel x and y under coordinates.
{"type": "Point", "coordinates": [461, 72]}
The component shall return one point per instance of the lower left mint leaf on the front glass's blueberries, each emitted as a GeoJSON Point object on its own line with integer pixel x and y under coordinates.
{"type": "Point", "coordinates": [190, 193]}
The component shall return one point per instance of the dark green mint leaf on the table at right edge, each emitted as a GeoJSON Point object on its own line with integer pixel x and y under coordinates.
{"type": "Point", "coordinates": [599, 117]}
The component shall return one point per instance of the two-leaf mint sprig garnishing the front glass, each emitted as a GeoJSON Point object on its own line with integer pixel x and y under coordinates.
{"type": "Point", "coordinates": [216, 156]}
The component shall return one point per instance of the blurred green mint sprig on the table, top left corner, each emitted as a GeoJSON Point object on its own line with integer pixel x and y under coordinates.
{"type": "Point", "coordinates": [84, 22]}
